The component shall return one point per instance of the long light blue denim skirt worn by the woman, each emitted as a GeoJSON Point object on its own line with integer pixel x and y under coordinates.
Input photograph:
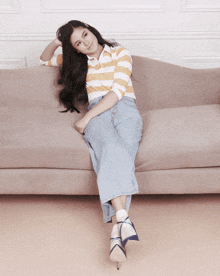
{"type": "Point", "coordinates": [113, 138]}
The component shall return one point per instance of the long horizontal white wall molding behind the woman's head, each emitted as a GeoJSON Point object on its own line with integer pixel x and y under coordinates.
{"type": "Point", "coordinates": [121, 36]}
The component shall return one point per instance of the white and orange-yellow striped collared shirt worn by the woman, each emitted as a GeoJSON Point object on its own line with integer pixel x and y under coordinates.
{"type": "Point", "coordinates": [111, 72]}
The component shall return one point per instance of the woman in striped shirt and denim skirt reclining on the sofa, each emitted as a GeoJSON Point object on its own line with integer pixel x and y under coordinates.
{"type": "Point", "coordinates": [96, 71]}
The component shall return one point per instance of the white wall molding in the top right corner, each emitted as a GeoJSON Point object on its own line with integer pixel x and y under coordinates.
{"type": "Point", "coordinates": [186, 7]}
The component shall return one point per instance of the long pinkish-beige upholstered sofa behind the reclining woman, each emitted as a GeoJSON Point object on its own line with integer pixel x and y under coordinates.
{"type": "Point", "coordinates": [42, 153]}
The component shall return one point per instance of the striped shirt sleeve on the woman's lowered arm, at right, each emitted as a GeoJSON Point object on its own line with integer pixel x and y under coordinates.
{"type": "Point", "coordinates": [122, 73]}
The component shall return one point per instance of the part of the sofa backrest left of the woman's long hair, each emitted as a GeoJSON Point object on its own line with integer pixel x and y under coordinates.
{"type": "Point", "coordinates": [29, 87]}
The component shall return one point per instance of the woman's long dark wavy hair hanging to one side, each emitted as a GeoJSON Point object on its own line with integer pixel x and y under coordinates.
{"type": "Point", "coordinates": [74, 68]}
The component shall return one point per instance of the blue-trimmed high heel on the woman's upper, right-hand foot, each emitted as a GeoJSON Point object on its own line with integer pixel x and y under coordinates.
{"type": "Point", "coordinates": [127, 231]}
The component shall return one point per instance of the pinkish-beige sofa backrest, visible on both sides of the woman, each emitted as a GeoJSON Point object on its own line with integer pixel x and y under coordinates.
{"type": "Point", "coordinates": [157, 85]}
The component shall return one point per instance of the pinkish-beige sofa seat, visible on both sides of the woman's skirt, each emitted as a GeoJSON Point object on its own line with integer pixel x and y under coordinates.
{"type": "Point", "coordinates": [174, 138]}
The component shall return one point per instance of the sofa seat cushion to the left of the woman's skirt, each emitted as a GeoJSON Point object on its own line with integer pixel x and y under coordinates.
{"type": "Point", "coordinates": [35, 137]}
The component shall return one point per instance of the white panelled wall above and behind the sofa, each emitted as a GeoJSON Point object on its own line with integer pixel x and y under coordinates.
{"type": "Point", "coordinates": [183, 32]}
